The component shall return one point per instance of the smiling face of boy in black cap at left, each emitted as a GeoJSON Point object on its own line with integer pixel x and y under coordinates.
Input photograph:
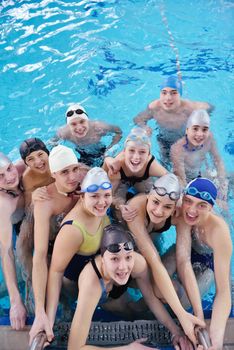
{"type": "Point", "coordinates": [38, 161]}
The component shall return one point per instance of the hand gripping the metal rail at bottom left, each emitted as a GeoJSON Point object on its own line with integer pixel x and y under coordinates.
{"type": "Point", "coordinates": [41, 323]}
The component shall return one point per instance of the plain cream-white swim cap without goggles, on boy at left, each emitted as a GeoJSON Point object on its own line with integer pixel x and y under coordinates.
{"type": "Point", "coordinates": [60, 157]}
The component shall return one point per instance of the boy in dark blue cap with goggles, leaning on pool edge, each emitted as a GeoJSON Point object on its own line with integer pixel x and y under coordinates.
{"type": "Point", "coordinates": [203, 238]}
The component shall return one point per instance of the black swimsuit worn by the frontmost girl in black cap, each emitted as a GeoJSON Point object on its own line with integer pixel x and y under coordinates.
{"type": "Point", "coordinates": [116, 291]}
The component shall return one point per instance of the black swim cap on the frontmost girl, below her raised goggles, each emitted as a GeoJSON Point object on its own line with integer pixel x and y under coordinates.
{"type": "Point", "coordinates": [115, 234]}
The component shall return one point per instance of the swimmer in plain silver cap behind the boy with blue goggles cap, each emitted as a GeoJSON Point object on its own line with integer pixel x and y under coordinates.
{"type": "Point", "coordinates": [190, 154]}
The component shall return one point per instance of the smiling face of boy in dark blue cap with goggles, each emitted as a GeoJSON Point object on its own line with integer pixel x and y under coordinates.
{"type": "Point", "coordinates": [195, 210]}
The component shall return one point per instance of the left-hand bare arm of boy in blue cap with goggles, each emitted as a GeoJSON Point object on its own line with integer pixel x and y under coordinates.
{"type": "Point", "coordinates": [184, 267]}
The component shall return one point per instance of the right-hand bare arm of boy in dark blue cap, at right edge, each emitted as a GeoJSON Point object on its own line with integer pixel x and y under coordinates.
{"type": "Point", "coordinates": [222, 247]}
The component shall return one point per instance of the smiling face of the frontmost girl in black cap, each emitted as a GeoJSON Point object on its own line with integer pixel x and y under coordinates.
{"type": "Point", "coordinates": [118, 266]}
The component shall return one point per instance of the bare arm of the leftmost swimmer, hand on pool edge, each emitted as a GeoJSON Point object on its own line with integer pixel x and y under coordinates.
{"type": "Point", "coordinates": [17, 309]}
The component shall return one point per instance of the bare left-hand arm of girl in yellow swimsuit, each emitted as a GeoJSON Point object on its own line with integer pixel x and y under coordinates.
{"type": "Point", "coordinates": [67, 244]}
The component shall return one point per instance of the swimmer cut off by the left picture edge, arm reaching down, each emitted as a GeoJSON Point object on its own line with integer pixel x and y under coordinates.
{"type": "Point", "coordinates": [11, 212]}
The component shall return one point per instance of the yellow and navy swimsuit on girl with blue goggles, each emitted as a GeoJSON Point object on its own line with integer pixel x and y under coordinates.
{"type": "Point", "coordinates": [88, 249]}
